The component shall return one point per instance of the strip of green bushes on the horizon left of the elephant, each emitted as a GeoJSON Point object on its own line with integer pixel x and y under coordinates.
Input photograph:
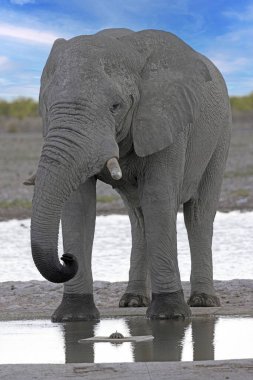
{"type": "Point", "coordinates": [19, 108]}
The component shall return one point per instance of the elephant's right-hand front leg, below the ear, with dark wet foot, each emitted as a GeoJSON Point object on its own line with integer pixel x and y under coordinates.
{"type": "Point", "coordinates": [160, 228]}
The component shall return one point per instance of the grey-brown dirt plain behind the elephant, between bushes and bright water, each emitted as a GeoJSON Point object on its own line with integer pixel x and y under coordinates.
{"type": "Point", "coordinates": [21, 143]}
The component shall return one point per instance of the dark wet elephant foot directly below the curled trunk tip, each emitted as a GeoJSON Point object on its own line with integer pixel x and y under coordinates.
{"type": "Point", "coordinates": [76, 307]}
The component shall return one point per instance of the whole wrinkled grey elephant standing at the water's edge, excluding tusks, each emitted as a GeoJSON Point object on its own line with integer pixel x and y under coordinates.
{"type": "Point", "coordinates": [150, 100]}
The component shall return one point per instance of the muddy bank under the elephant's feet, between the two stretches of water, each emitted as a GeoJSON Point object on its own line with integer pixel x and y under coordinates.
{"type": "Point", "coordinates": [38, 299]}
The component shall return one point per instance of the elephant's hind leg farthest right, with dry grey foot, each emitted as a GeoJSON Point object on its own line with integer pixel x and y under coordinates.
{"type": "Point", "coordinates": [199, 216]}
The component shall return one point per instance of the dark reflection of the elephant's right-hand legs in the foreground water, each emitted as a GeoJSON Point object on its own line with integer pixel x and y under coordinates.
{"type": "Point", "coordinates": [169, 338]}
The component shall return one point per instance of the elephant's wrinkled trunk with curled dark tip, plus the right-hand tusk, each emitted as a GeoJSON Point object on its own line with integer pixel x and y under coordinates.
{"type": "Point", "coordinates": [65, 162]}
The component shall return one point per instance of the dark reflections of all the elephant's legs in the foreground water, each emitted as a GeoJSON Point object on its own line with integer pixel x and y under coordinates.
{"type": "Point", "coordinates": [167, 344]}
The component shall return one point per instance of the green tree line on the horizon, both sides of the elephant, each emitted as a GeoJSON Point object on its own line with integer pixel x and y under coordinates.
{"type": "Point", "coordinates": [27, 107]}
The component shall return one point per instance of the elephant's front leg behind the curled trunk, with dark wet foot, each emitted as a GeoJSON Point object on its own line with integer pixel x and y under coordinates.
{"type": "Point", "coordinates": [78, 225]}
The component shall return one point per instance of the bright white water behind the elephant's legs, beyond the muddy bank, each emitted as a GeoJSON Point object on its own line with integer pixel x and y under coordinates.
{"type": "Point", "coordinates": [232, 248]}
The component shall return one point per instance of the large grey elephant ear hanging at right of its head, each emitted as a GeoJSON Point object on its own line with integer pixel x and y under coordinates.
{"type": "Point", "coordinates": [169, 101]}
